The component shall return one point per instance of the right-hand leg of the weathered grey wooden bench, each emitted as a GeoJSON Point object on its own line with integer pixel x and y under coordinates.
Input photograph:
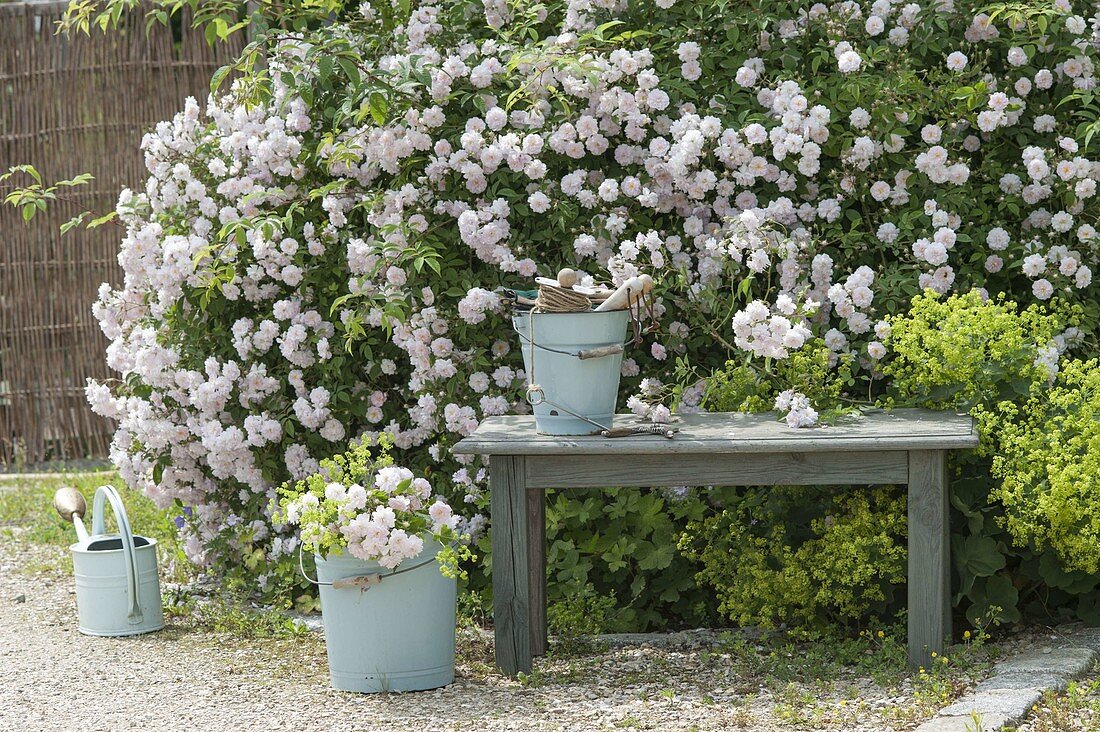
{"type": "Point", "coordinates": [930, 610]}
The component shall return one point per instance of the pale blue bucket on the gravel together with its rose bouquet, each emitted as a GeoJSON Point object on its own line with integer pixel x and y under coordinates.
{"type": "Point", "coordinates": [387, 560]}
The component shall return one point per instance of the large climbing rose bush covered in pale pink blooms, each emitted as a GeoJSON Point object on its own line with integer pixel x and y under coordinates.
{"type": "Point", "coordinates": [315, 254]}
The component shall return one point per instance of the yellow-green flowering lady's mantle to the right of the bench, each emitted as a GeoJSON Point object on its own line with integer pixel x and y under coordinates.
{"type": "Point", "coordinates": [995, 360]}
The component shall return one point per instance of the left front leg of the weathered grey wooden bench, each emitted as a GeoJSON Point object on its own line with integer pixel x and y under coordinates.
{"type": "Point", "coordinates": [511, 564]}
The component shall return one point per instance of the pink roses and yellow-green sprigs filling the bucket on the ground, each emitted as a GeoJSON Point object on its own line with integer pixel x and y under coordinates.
{"type": "Point", "coordinates": [362, 505]}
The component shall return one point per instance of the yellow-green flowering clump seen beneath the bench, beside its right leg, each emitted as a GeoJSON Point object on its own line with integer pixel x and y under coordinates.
{"type": "Point", "coordinates": [807, 556]}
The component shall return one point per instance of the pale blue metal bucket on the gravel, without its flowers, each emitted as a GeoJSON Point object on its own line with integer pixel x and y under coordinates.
{"type": "Point", "coordinates": [394, 636]}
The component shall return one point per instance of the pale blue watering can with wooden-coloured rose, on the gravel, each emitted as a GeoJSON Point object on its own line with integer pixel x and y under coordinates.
{"type": "Point", "coordinates": [118, 591]}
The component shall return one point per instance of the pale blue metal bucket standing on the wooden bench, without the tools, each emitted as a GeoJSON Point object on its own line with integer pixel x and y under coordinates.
{"type": "Point", "coordinates": [575, 359]}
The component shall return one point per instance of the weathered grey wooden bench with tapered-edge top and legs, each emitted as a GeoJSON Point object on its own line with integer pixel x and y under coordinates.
{"type": "Point", "coordinates": [901, 447]}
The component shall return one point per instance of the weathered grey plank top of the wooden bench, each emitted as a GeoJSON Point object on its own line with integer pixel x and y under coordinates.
{"type": "Point", "coordinates": [900, 430]}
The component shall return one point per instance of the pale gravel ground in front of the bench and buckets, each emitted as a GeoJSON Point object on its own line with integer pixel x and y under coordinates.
{"type": "Point", "coordinates": [183, 679]}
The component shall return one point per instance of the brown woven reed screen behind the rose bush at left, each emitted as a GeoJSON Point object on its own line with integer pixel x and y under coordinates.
{"type": "Point", "coordinates": [69, 106]}
